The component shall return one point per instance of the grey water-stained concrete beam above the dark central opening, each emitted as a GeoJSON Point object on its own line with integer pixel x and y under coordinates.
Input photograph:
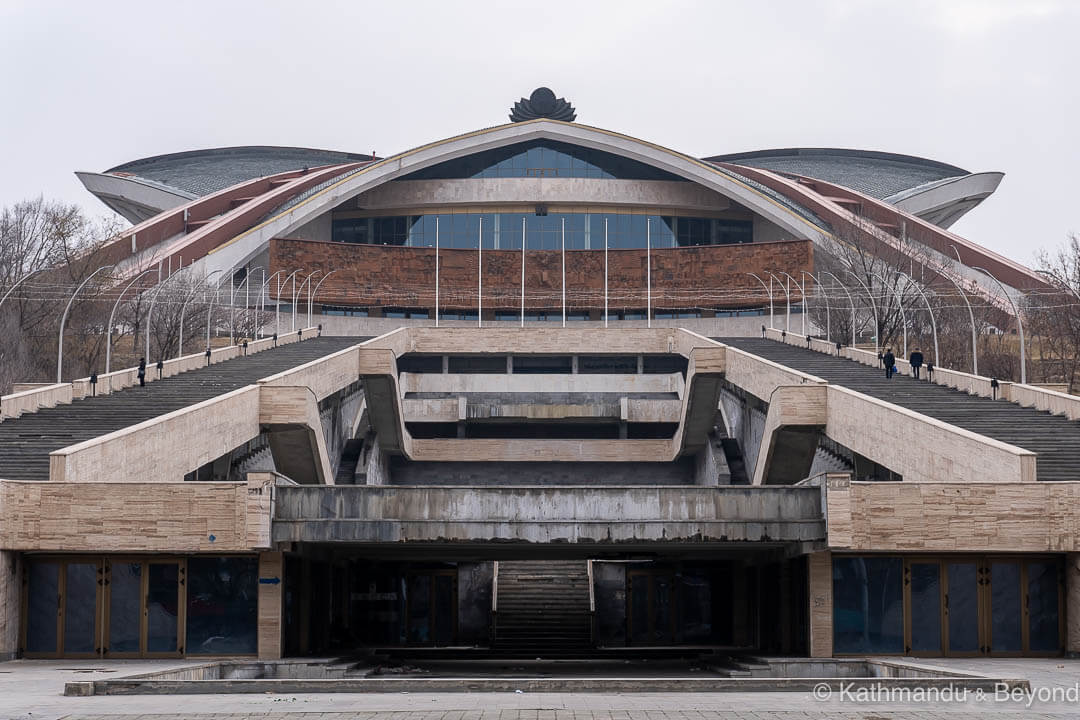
{"type": "Point", "coordinates": [549, 514]}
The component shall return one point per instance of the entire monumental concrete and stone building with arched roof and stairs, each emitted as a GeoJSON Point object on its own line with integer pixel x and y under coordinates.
{"type": "Point", "coordinates": [538, 410]}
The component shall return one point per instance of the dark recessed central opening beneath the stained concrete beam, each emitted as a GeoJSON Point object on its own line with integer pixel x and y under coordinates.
{"type": "Point", "coordinates": [339, 602]}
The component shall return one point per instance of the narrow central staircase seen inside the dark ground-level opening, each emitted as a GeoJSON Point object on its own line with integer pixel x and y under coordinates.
{"type": "Point", "coordinates": [544, 606]}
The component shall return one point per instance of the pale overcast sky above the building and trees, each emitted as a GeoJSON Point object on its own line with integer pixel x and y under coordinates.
{"type": "Point", "coordinates": [984, 85]}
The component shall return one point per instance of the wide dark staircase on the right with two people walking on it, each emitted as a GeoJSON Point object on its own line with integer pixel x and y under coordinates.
{"type": "Point", "coordinates": [1056, 440]}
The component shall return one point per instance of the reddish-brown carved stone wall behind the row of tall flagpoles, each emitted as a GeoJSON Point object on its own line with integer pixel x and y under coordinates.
{"type": "Point", "coordinates": [381, 276]}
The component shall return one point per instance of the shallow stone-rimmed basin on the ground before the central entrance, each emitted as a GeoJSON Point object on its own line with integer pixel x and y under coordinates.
{"type": "Point", "coordinates": [709, 674]}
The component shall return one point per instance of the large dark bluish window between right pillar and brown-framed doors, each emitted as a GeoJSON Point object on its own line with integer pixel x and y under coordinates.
{"type": "Point", "coordinates": [868, 605]}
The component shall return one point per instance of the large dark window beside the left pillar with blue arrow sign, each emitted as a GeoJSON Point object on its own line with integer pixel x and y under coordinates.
{"type": "Point", "coordinates": [223, 603]}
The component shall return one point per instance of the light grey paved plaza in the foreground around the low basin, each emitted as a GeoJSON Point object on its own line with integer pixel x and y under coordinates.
{"type": "Point", "coordinates": [34, 690]}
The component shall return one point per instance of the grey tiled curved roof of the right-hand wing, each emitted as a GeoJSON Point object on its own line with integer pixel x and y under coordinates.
{"type": "Point", "coordinates": [876, 174]}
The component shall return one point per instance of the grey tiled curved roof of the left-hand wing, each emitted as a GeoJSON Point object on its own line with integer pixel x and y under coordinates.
{"type": "Point", "coordinates": [204, 172]}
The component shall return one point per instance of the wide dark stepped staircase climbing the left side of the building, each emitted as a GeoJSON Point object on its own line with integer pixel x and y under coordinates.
{"type": "Point", "coordinates": [26, 442]}
